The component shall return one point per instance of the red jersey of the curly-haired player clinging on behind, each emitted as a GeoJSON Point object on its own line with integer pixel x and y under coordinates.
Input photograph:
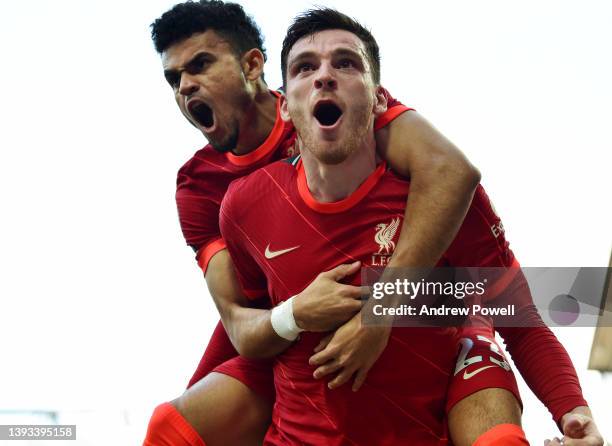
{"type": "Point", "coordinates": [201, 185]}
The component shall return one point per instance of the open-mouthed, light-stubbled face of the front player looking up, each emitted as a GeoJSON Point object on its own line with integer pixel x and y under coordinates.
{"type": "Point", "coordinates": [331, 96]}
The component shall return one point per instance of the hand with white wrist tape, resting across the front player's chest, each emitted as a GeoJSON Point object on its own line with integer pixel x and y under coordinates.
{"type": "Point", "coordinates": [326, 304]}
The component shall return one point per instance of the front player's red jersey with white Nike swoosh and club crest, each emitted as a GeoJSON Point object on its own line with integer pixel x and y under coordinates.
{"type": "Point", "coordinates": [404, 397]}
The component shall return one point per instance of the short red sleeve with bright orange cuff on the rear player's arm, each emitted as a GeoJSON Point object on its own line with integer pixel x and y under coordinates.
{"type": "Point", "coordinates": [198, 212]}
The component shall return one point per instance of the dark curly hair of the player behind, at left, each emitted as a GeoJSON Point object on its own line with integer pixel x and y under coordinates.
{"type": "Point", "coordinates": [227, 19]}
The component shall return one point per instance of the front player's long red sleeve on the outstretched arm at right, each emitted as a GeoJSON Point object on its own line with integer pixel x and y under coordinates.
{"type": "Point", "coordinates": [481, 242]}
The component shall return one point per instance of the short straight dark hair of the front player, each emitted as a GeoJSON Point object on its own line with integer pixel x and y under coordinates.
{"type": "Point", "coordinates": [321, 19]}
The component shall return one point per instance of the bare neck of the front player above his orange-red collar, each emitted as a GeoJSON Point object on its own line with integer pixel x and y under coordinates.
{"type": "Point", "coordinates": [330, 183]}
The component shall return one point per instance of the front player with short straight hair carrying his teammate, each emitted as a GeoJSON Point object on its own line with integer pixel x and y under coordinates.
{"type": "Point", "coordinates": [329, 198]}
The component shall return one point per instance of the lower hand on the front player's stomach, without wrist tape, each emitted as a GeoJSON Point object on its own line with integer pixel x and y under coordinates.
{"type": "Point", "coordinates": [352, 349]}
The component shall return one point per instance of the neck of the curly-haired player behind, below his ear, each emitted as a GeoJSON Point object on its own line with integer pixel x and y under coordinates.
{"type": "Point", "coordinates": [258, 120]}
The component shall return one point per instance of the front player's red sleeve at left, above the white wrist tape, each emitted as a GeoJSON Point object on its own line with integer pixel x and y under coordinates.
{"type": "Point", "coordinates": [251, 277]}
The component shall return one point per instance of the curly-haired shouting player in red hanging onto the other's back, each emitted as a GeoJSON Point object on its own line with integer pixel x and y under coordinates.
{"type": "Point", "coordinates": [223, 94]}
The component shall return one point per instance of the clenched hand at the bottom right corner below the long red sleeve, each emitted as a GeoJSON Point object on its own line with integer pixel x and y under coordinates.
{"type": "Point", "coordinates": [579, 429]}
